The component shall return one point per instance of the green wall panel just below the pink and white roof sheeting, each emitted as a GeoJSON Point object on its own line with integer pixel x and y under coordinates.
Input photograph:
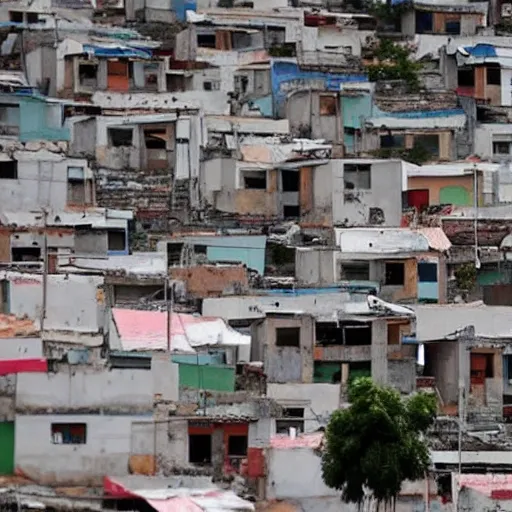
{"type": "Point", "coordinates": [211, 377]}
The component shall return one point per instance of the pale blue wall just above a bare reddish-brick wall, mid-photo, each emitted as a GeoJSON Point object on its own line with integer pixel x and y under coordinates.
{"type": "Point", "coordinates": [249, 250]}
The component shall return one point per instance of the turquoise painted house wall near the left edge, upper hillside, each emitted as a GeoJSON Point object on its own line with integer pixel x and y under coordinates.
{"type": "Point", "coordinates": [40, 120]}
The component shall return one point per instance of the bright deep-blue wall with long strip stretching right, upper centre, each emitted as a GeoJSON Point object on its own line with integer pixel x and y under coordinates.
{"type": "Point", "coordinates": [286, 77]}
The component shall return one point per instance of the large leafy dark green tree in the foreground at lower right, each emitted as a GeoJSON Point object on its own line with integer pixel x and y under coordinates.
{"type": "Point", "coordinates": [377, 443]}
